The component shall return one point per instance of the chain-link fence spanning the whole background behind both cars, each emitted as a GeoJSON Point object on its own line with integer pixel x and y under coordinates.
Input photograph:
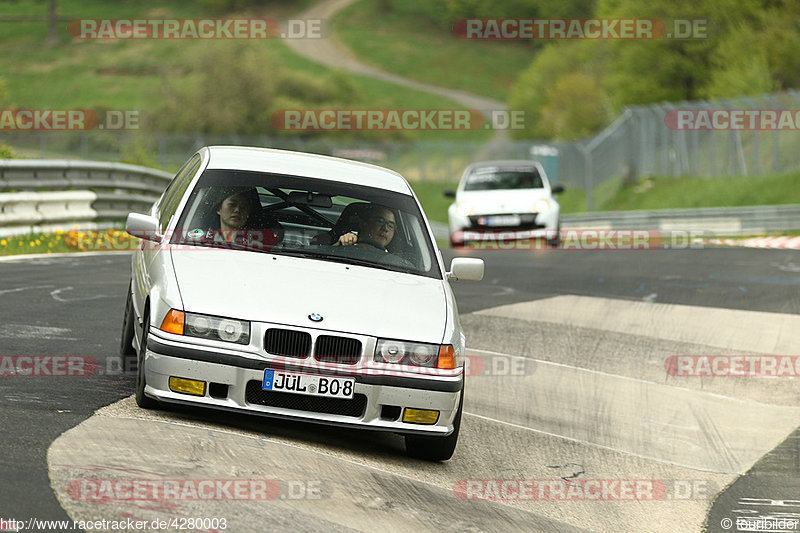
{"type": "Point", "coordinates": [641, 141]}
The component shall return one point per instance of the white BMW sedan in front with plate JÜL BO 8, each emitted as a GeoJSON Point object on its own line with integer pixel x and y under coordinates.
{"type": "Point", "coordinates": [301, 287]}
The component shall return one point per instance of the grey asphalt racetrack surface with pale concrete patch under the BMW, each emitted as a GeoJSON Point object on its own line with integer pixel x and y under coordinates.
{"type": "Point", "coordinates": [575, 419]}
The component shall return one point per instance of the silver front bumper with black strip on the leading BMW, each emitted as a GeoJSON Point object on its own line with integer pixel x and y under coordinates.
{"type": "Point", "coordinates": [234, 383]}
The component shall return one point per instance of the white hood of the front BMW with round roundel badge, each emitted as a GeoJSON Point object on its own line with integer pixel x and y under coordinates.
{"type": "Point", "coordinates": [286, 290]}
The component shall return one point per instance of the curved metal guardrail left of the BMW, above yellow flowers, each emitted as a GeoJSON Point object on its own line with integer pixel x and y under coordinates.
{"type": "Point", "coordinates": [118, 189]}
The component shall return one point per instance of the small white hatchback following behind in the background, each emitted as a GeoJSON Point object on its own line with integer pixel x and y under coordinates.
{"type": "Point", "coordinates": [504, 200]}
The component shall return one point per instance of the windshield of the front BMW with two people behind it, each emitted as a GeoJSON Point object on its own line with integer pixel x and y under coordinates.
{"type": "Point", "coordinates": [313, 218]}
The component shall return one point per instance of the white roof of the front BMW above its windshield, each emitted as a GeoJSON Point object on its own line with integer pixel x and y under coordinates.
{"type": "Point", "coordinates": [306, 165]}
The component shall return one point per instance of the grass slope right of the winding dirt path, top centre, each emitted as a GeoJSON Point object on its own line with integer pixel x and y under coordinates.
{"type": "Point", "coordinates": [416, 48]}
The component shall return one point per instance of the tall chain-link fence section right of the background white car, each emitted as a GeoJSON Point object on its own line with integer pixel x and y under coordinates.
{"type": "Point", "coordinates": [745, 136]}
